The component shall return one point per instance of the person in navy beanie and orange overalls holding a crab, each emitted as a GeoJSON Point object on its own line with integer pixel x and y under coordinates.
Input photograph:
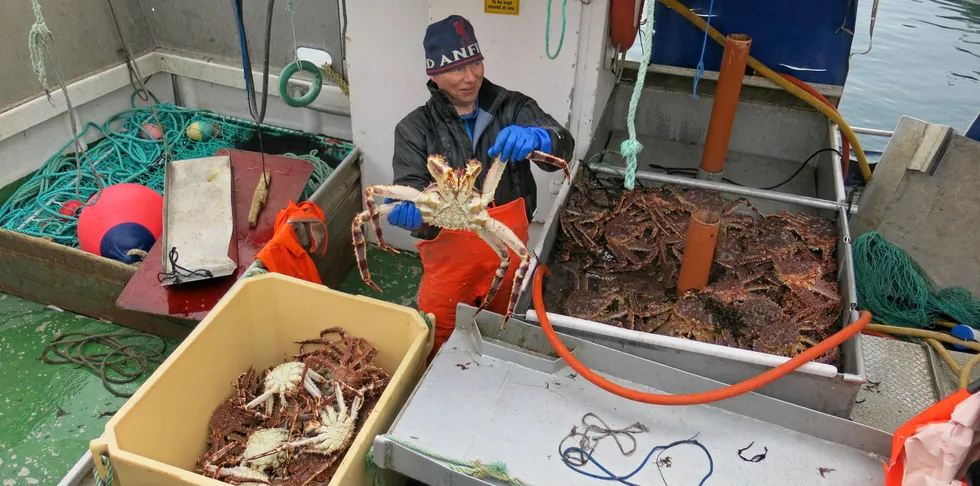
{"type": "Point", "coordinates": [468, 117]}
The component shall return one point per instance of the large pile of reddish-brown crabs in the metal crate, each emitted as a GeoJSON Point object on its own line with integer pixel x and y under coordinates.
{"type": "Point", "coordinates": [772, 287]}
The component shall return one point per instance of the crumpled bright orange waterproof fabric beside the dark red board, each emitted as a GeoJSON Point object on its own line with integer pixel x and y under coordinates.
{"type": "Point", "coordinates": [284, 253]}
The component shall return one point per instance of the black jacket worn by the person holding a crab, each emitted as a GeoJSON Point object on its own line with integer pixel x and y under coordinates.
{"type": "Point", "coordinates": [436, 128]}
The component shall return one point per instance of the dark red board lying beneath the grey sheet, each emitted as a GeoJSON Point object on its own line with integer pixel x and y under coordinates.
{"type": "Point", "coordinates": [193, 300]}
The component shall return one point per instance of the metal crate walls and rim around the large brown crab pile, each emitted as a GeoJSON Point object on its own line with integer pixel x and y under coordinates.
{"type": "Point", "coordinates": [816, 386]}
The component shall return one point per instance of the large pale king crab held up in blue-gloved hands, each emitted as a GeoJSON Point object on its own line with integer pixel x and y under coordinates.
{"type": "Point", "coordinates": [452, 202]}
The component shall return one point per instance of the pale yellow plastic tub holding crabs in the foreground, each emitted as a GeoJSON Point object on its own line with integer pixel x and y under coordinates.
{"type": "Point", "coordinates": [158, 435]}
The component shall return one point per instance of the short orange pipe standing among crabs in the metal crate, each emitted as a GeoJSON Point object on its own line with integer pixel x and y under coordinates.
{"type": "Point", "coordinates": [699, 250]}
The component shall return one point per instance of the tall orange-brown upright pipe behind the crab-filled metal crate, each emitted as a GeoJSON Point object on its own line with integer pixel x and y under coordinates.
{"type": "Point", "coordinates": [723, 109]}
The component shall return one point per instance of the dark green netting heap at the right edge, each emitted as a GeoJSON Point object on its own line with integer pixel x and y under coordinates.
{"type": "Point", "coordinates": [898, 292]}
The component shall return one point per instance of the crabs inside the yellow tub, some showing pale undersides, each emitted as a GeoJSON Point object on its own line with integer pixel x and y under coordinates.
{"type": "Point", "coordinates": [294, 424]}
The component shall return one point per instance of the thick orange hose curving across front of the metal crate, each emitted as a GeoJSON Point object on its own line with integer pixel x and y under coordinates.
{"type": "Point", "coordinates": [725, 393]}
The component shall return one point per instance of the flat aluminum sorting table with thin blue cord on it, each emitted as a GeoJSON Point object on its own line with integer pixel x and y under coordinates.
{"type": "Point", "coordinates": [503, 395]}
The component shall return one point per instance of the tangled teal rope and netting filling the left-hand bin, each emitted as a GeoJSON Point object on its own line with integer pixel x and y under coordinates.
{"type": "Point", "coordinates": [124, 152]}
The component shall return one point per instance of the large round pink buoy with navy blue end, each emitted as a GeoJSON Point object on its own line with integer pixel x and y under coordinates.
{"type": "Point", "coordinates": [125, 217]}
